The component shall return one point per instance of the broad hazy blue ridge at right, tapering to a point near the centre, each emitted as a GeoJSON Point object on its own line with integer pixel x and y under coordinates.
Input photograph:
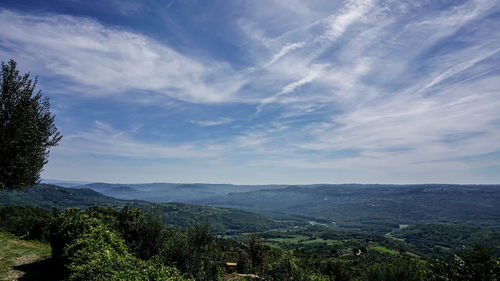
{"type": "Point", "coordinates": [374, 207]}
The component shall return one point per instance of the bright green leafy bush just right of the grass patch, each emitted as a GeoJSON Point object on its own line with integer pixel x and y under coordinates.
{"type": "Point", "coordinates": [87, 247]}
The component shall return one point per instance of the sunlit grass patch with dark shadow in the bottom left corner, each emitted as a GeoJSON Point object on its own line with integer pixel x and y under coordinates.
{"type": "Point", "coordinates": [24, 259]}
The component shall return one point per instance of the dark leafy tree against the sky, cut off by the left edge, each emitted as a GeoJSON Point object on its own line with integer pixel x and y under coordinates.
{"type": "Point", "coordinates": [27, 129]}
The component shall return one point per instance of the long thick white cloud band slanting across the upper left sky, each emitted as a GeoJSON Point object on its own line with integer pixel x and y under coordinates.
{"type": "Point", "coordinates": [112, 61]}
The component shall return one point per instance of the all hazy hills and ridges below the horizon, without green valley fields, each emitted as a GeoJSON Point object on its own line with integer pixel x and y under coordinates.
{"type": "Point", "coordinates": [393, 211]}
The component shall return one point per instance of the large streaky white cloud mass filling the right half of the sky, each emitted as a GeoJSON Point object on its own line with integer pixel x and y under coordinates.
{"type": "Point", "coordinates": [392, 127]}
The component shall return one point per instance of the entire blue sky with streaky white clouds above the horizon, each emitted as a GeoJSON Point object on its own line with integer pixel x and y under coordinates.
{"type": "Point", "coordinates": [265, 92]}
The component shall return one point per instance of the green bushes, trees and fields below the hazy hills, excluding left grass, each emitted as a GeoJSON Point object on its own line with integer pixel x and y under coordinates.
{"type": "Point", "coordinates": [131, 244]}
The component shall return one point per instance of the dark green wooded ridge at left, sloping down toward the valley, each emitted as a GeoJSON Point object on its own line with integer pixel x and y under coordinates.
{"type": "Point", "coordinates": [222, 220]}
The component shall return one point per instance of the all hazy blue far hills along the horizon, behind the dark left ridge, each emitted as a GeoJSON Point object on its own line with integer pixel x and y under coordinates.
{"type": "Point", "coordinates": [368, 207]}
